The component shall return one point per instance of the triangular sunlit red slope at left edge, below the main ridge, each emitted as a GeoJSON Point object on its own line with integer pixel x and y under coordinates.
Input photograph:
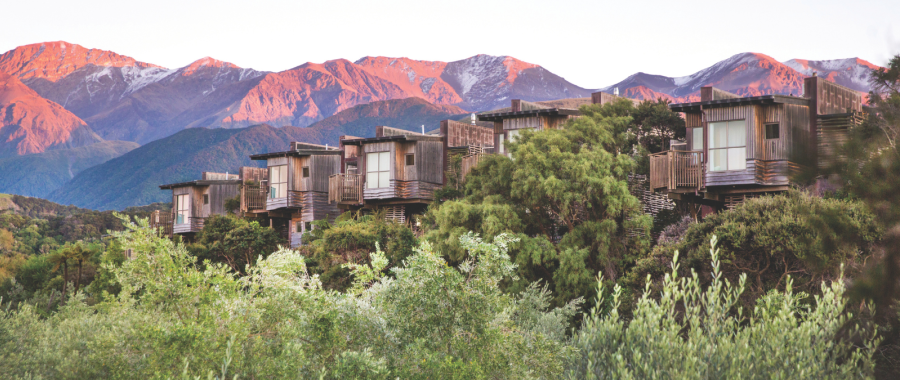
{"type": "Point", "coordinates": [31, 124]}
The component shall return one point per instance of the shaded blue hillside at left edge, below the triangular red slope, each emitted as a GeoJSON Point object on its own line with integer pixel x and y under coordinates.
{"type": "Point", "coordinates": [36, 175]}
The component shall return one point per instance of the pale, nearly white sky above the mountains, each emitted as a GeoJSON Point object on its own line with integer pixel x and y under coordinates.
{"type": "Point", "coordinates": [592, 44]}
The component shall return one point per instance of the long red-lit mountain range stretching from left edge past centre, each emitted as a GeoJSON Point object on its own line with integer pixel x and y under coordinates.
{"type": "Point", "coordinates": [125, 99]}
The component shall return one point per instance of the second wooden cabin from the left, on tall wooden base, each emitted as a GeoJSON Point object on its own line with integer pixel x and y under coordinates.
{"type": "Point", "coordinates": [295, 189]}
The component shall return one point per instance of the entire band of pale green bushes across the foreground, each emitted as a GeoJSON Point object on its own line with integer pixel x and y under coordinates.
{"type": "Point", "coordinates": [176, 318]}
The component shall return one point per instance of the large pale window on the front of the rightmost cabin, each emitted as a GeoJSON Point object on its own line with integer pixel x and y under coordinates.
{"type": "Point", "coordinates": [727, 145]}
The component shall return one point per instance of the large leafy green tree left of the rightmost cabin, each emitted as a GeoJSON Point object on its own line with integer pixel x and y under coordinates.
{"type": "Point", "coordinates": [563, 195]}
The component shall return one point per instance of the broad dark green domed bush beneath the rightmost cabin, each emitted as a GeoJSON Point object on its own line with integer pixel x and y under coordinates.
{"type": "Point", "coordinates": [771, 238]}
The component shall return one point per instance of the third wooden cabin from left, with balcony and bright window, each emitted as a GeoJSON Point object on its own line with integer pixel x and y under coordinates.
{"type": "Point", "coordinates": [396, 170]}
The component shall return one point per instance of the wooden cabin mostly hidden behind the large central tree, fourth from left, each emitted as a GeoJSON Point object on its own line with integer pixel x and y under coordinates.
{"type": "Point", "coordinates": [552, 114]}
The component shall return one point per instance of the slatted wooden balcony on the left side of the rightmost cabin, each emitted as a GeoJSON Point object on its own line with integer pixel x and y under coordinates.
{"type": "Point", "coordinates": [676, 171]}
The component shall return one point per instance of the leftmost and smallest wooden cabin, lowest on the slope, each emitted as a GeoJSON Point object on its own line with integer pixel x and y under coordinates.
{"type": "Point", "coordinates": [195, 201]}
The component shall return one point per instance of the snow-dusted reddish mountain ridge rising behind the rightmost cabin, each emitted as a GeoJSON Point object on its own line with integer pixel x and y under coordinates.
{"type": "Point", "coordinates": [746, 74]}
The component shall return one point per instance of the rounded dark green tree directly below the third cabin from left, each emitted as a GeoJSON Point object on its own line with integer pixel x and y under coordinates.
{"type": "Point", "coordinates": [331, 247]}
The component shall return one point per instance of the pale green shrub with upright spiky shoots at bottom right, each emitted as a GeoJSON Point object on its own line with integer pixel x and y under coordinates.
{"type": "Point", "coordinates": [689, 331]}
